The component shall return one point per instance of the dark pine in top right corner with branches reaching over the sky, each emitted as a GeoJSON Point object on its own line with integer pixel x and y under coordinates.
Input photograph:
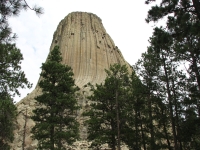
{"type": "Point", "coordinates": [183, 21]}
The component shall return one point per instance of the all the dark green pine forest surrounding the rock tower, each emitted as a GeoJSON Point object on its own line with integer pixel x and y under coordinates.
{"type": "Point", "coordinates": [156, 106]}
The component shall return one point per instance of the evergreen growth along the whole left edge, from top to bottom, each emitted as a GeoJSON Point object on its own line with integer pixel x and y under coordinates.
{"type": "Point", "coordinates": [11, 76]}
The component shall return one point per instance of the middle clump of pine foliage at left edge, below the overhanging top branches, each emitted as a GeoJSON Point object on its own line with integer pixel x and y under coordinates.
{"type": "Point", "coordinates": [12, 77]}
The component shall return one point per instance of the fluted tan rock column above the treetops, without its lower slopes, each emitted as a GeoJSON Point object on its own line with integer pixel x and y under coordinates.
{"type": "Point", "coordinates": [86, 47]}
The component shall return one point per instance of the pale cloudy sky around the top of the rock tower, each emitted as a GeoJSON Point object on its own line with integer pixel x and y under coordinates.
{"type": "Point", "coordinates": [123, 20]}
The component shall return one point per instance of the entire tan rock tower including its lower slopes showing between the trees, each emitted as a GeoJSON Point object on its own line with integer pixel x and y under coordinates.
{"type": "Point", "coordinates": [89, 50]}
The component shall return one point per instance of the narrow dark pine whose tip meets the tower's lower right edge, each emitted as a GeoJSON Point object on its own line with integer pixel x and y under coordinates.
{"type": "Point", "coordinates": [136, 138]}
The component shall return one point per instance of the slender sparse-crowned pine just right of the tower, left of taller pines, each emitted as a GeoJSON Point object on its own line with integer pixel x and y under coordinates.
{"type": "Point", "coordinates": [147, 70]}
